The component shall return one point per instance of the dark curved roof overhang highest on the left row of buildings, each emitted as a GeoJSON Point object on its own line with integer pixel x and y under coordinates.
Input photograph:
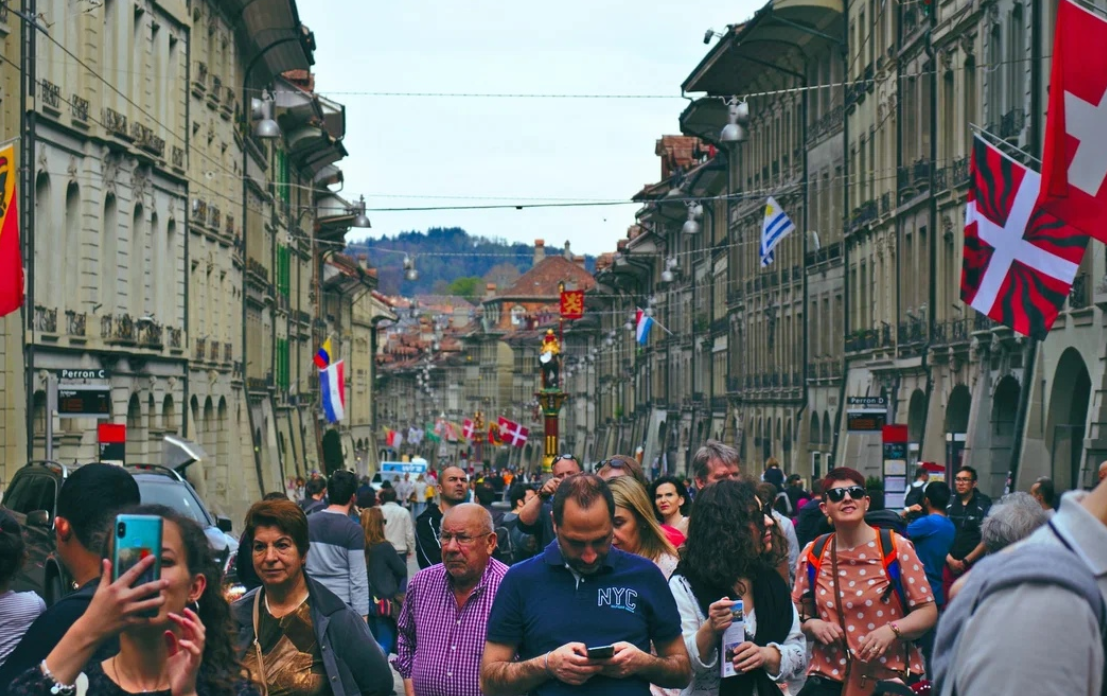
{"type": "Point", "coordinates": [273, 28]}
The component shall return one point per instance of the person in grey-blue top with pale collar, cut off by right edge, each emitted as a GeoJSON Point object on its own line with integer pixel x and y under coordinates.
{"type": "Point", "coordinates": [1032, 619]}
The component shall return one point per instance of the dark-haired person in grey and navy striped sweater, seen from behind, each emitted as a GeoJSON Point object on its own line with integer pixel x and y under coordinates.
{"type": "Point", "coordinates": [338, 546]}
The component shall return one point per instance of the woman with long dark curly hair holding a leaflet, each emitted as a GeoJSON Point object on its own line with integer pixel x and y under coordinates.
{"type": "Point", "coordinates": [729, 556]}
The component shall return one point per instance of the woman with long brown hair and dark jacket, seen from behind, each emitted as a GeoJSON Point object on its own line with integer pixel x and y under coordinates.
{"type": "Point", "coordinates": [388, 577]}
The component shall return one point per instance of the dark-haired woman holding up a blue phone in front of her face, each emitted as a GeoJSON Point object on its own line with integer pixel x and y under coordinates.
{"type": "Point", "coordinates": [184, 650]}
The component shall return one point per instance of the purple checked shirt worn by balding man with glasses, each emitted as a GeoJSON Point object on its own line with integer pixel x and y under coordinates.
{"type": "Point", "coordinates": [440, 646]}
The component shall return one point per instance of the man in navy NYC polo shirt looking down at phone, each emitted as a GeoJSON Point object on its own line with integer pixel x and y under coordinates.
{"type": "Point", "coordinates": [582, 594]}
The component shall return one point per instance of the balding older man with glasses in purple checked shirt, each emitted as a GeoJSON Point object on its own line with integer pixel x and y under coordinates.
{"type": "Point", "coordinates": [446, 617]}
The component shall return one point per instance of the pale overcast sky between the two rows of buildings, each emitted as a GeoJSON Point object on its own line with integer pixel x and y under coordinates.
{"type": "Point", "coordinates": [510, 149]}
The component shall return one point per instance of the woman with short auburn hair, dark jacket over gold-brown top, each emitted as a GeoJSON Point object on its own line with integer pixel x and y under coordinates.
{"type": "Point", "coordinates": [298, 639]}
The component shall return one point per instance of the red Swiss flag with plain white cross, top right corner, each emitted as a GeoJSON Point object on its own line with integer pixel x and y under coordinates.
{"type": "Point", "coordinates": [1074, 165]}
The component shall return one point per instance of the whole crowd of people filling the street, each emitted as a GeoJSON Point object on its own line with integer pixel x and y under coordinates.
{"type": "Point", "coordinates": [728, 584]}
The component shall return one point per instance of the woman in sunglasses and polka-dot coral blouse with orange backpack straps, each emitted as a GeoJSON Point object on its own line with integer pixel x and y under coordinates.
{"type": "Point", "coordinates": [854, 612]}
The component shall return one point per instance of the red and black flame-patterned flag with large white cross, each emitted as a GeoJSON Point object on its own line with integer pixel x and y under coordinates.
{"type": "Point", "coordinates": [1020, 261]}
